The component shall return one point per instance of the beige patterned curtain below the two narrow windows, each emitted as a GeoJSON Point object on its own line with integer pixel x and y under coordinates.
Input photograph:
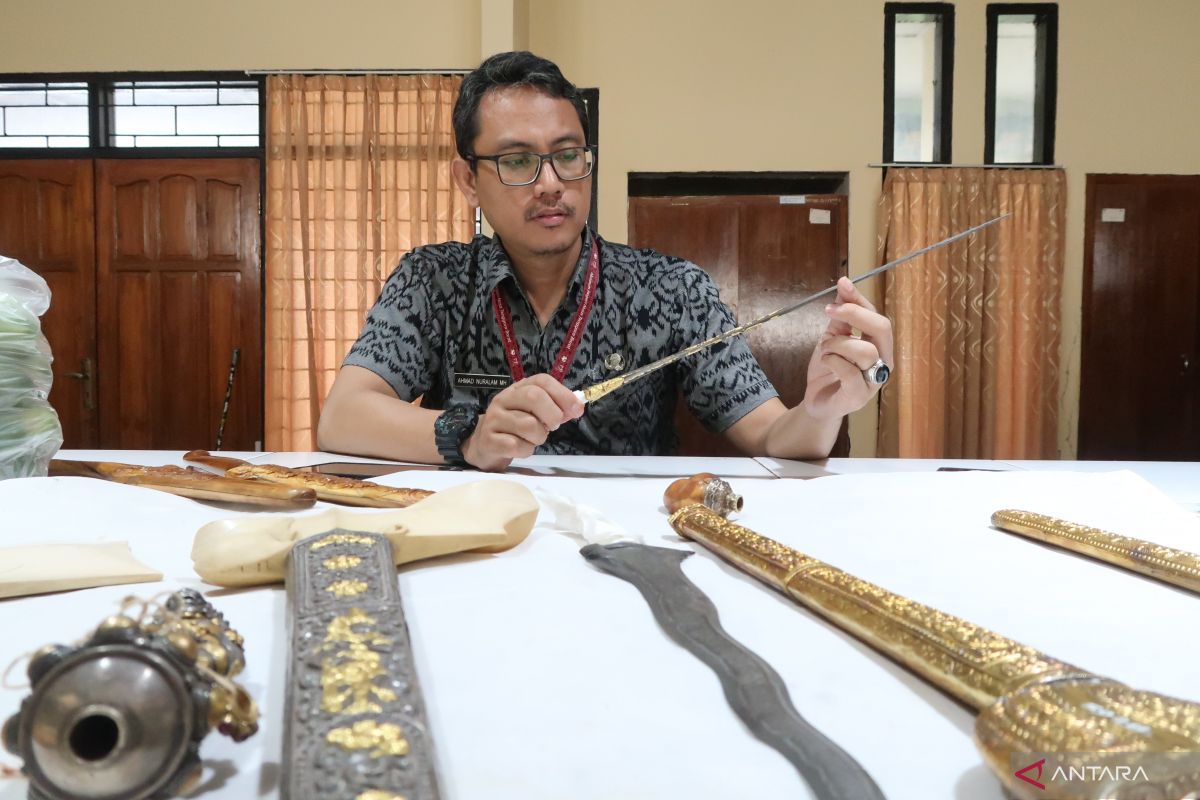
{"type": "Point", "coordinates": [977, 323]}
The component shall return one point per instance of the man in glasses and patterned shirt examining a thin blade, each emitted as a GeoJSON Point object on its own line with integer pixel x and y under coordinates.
{"type": "Point", "coordinates": [494, 336]}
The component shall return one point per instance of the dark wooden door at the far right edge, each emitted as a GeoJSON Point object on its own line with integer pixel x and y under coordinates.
{"type": "Point", "coordinates": [1142, 284]}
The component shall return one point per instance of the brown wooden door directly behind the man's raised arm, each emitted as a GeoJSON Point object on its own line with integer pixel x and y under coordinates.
{"type": "Point", "coordinates": [764, 252]}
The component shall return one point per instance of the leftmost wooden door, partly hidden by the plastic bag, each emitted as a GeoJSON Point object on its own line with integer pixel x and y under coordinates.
{"type": "Point", "coordinates": [47, 224]}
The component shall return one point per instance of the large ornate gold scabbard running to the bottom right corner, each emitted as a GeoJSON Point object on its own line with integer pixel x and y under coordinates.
{"type": "Point", "coordinates": [1030, 705]}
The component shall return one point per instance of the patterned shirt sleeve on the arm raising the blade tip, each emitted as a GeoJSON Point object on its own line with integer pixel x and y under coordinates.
{"type": "Point", "coordinates": [723, 383]}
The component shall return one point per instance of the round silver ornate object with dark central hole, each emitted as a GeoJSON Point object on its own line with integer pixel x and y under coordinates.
{"type": "Point", "coordinates": [123, 715]}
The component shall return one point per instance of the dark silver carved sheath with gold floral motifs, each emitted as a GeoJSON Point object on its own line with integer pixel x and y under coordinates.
{"type": "Point", "coordinates": [356, 723]}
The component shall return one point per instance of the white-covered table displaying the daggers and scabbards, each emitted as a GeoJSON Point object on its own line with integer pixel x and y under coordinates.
{"type": "Point", "coordinates": [545, 678]}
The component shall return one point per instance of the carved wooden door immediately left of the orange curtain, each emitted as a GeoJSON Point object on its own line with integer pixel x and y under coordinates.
{"type": "Point", "coordinates": [178, 291]}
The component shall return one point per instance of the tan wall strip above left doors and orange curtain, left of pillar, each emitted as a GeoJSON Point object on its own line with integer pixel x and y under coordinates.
{"type": "Point", "coordinates": [119, 35]}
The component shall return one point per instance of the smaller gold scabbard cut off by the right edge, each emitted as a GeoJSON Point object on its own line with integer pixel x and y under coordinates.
{"type": "Point", "coordinates": [1178, 568]}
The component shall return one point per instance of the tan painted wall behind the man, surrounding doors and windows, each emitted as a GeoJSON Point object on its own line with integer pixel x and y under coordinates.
{"type": "Point", "coordinates": [697, 86]}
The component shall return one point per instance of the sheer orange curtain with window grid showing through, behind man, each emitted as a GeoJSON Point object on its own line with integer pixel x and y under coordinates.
{"type": "Point", "coordinates": [358, 175]}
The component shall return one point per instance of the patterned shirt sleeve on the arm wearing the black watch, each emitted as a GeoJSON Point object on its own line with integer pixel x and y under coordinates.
{"type": "Point", "coordinates": [399, 339]}
